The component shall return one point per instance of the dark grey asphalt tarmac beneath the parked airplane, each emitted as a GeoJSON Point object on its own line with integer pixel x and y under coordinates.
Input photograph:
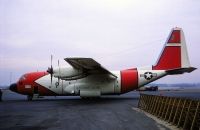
{"type": "Point", "coordinates": [61, 113]}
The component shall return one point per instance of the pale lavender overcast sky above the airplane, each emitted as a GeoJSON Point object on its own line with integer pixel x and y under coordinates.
{"type": "Point", "coordinates": [119, 34]}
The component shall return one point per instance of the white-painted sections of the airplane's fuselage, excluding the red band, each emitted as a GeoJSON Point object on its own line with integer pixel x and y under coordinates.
{"type": "Point", "coordinates": [94, 85]}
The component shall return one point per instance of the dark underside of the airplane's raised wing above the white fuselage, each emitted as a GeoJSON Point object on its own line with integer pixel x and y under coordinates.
{"type": "Point", "coordinates": [89, 65]}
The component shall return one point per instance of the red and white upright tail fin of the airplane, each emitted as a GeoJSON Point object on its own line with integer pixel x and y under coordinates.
{"type": "Point", "coordinates": [174, 54]}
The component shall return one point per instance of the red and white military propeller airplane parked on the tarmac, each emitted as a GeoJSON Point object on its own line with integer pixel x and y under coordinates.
{"type": "Point", "coordinates": [87, 78]}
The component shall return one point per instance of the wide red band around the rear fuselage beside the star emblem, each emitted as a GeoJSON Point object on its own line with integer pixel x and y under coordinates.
{"type": "Point", "coordinates": [129, 80]}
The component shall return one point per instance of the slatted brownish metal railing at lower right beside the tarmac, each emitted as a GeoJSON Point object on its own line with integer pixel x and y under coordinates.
{"type": "Point", "coordinates": [183, 113]}
